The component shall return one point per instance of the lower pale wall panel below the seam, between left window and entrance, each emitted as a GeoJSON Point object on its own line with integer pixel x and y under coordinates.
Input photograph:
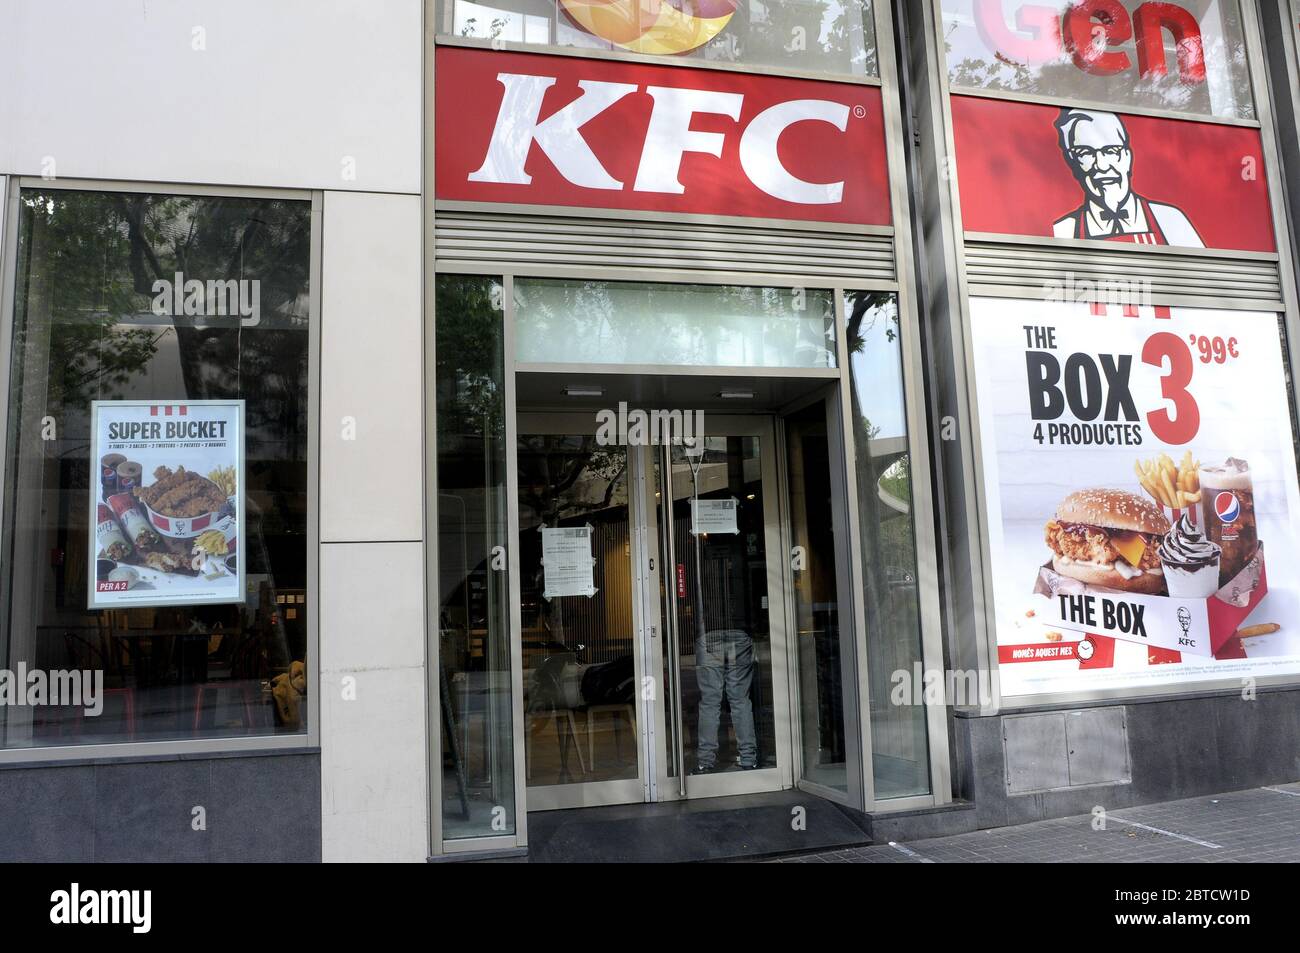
{"type": "Point", "coordinates": [374, 757]}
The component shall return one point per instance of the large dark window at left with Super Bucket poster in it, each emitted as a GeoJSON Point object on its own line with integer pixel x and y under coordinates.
{"type": "Point", "coordinates": [163, 301]}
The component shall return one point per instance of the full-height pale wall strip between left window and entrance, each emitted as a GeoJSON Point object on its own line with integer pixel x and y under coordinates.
{"type": "Point", "coordinates": [375, 790]}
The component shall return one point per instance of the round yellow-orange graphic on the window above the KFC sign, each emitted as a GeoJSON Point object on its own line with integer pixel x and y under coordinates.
{"type": "Point", "coordinates": [652, 27]}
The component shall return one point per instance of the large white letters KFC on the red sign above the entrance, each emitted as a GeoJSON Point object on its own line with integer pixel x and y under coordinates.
{"type": "Point", "coordinates": [669, 137]}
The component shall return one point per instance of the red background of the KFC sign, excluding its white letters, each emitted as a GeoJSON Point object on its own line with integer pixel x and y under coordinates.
{"type": "Point", "coordinates": [469, 97]}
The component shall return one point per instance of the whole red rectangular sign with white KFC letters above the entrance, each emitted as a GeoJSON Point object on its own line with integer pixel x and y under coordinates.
{"type": "Point", "coordinates": [549, 131]}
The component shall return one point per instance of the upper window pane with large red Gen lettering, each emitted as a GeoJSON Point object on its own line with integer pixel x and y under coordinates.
{"type": "Point", "coordinates": [1188, 57]}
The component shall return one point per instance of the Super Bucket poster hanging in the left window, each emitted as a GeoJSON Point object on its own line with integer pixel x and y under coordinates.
{"type": "Point", "coordinates": [167, 504]}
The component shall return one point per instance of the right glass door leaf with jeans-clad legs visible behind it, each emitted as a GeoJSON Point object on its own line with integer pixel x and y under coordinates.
{"type": "Point", "coordinates": [722, 601]}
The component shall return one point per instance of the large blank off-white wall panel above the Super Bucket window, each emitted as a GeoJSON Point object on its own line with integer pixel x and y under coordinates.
{"type": "Point", "coordinates": [281, 94]}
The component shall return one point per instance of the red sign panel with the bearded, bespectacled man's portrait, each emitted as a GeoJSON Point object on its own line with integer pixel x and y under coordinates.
{"type": "Point", "coordinates": [1068, 172]}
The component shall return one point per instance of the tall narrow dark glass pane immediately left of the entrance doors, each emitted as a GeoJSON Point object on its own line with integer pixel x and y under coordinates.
{"type": "Point", "coordinates": [474, 605]}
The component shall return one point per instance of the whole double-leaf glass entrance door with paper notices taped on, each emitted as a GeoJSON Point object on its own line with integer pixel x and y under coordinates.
{"type": "Point", "coordinates": [652, 597]}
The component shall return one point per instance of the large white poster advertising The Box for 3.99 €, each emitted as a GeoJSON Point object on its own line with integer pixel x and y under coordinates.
{"type": "Point", "coordinates": [1142, 504]}
